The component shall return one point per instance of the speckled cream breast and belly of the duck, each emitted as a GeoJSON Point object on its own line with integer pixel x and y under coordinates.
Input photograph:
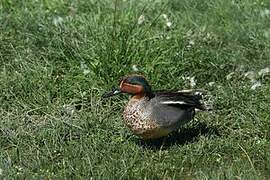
{"type": "Point", "coordinates": [137, 116]}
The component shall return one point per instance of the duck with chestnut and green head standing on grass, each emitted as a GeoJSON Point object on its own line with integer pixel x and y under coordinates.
{"type": "Point", "coordinates": [155, 114]}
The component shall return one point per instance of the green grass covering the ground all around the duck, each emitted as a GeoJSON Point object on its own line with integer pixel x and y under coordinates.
{"type": "Point", "coordinates": [58, 57]}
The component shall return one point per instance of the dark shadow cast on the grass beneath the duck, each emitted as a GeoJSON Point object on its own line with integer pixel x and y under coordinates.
{"type": "Point", "coordinates": [181, 137]}
